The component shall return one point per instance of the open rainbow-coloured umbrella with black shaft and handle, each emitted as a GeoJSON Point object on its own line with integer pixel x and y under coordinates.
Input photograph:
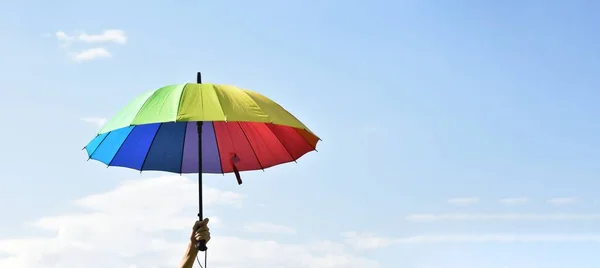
{"type": "Point", "coordinates": [201, 128]}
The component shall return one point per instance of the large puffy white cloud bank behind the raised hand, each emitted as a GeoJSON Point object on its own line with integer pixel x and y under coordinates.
{"type": "Point", "coordinates": [146, 223]}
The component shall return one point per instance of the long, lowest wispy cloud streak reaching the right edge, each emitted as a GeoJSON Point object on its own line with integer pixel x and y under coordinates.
{"type": "Point", "coordinates": [371, 241]}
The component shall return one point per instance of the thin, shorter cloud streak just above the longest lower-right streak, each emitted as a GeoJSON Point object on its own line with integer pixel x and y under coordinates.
{"type": "Point", "coordinates": [503, 217]}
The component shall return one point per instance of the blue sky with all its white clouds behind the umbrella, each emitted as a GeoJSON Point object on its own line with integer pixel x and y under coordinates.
{"type": "Point", "coordinates": [456, 134]}
